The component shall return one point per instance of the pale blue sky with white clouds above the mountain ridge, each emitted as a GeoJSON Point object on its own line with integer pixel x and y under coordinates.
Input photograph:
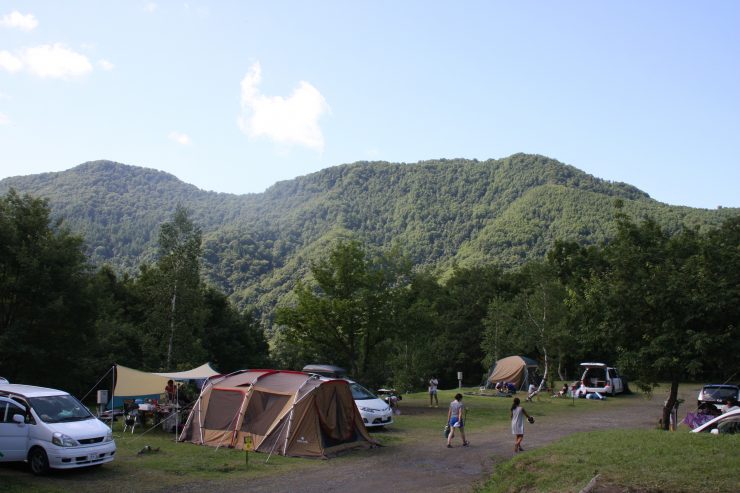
{"type": "Point", "coordinates": [234, 96]}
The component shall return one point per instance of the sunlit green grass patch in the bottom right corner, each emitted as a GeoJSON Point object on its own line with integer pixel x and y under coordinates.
{"type": "Point", "coordinates": [650, 460]}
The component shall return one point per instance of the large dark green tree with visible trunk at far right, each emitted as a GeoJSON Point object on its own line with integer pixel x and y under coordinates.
{"type": "Point", "coordinates": [650, 306]}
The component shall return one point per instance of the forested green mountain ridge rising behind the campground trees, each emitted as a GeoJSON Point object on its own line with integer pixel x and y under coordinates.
{"type": "Point", "coordinates": [437, 213]}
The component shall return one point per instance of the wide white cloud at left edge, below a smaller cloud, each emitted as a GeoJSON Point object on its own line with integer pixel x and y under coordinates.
{"type": "Point", "coordinates": [47, 61]}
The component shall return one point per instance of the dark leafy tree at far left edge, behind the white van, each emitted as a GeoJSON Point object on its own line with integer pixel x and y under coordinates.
{"type": "Point", "coordinates": [46, 308]}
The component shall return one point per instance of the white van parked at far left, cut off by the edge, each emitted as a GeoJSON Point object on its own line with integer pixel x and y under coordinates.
{"type": "Point", "coordinates": [49, 428]}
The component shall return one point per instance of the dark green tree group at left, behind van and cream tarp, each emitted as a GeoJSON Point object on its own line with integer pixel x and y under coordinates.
{"type": "Point", "coordinates": [63, 326]}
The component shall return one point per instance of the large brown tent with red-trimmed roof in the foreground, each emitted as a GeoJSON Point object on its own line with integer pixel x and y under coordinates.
{"type": "Point", "coordinates": [283, 412]}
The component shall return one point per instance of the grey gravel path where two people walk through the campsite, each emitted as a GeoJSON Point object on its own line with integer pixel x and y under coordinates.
{"type": "Point", "coordinates": [421, 466]}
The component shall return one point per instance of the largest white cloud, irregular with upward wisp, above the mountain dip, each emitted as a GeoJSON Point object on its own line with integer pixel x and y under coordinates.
{"type": "Point", "coordinates": [290, 121]}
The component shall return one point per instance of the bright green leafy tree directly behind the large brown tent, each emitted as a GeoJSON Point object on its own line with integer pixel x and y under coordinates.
{"type": "Point", "coordinates": [346, 317]}
